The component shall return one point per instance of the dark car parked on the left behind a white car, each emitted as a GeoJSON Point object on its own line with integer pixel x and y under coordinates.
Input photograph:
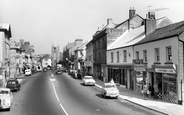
{"type": "Point", "coordinates": [13, 84]}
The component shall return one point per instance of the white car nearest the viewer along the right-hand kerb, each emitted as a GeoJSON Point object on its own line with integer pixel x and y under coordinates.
{"type": "Point", "coordinates": [110, 90]}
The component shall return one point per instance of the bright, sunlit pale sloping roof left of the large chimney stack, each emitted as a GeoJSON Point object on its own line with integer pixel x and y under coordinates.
{"type": "Point", "coordinates": [128, 38]}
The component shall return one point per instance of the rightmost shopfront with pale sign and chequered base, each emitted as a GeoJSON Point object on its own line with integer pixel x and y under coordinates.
{"type": "Point", "coordinates": [166, 78]}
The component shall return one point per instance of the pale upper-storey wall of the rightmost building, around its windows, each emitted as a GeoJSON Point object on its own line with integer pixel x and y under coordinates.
{"type": "Point", "coordinates": [161, 44]}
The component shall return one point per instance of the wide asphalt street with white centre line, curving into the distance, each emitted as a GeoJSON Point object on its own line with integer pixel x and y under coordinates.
{"type": "Point", "coordinates": [44, 94]}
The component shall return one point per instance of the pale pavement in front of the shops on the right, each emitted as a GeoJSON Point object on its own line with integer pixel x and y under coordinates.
{"type": "Point", "coordinates": [157, 105]}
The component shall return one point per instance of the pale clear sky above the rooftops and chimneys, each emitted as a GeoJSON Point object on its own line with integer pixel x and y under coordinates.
{"type": "Point", "coordinates": [58, 22]}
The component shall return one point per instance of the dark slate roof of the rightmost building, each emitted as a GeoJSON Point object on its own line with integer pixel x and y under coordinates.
{"type": "Point", "coordinates": [164, 32]}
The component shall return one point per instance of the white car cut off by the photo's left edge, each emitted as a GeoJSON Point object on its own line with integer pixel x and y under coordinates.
{"type": "Point", "coordinates": [6, 98]}
